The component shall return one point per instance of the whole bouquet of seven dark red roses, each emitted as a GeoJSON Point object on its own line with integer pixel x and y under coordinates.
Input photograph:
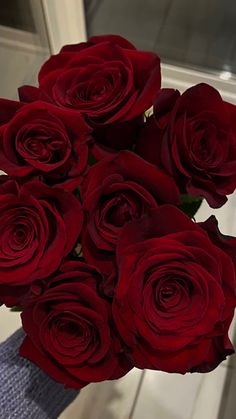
{"type": "Point", "coordinates": [98, 246]}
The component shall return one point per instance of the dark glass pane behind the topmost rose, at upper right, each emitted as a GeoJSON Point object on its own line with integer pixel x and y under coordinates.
{"type": "Point", "coordinates": [197, 34]}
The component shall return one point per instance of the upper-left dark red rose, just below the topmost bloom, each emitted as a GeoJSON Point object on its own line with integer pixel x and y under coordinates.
{"type": "Point", "coordinates": [42, 139]}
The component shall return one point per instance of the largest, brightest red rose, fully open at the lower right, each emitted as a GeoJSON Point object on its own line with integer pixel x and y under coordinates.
{"type": "Point", "coordinates": [176, 293]}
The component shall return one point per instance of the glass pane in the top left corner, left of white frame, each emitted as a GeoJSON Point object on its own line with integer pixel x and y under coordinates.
{"type": "Point", "coordinates": [23, 44]}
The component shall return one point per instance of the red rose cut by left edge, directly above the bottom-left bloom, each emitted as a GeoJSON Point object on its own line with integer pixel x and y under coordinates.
{"type": "Point", "coordinates": [39, 226]}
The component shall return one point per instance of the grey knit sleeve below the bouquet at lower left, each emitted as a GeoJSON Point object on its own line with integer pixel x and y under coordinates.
{"type": "Point", "coordinates": [26, 392]}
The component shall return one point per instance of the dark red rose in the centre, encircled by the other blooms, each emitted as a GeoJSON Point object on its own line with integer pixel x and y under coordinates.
{"type": "Point", "coordinates": [119, 189]}
